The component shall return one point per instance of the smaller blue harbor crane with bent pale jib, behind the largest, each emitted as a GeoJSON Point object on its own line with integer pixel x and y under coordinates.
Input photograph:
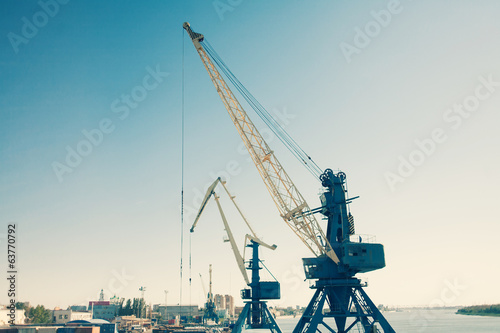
{"type": "Point", "coordinates": [255, 313]}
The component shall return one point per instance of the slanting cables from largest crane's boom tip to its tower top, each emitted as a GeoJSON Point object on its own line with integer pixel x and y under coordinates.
{"type": "Point", "coordinates": [268, 119]}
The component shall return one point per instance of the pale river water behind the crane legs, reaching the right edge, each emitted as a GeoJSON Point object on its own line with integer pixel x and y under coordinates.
{"type": "Point", "coordinates": [422, 321]}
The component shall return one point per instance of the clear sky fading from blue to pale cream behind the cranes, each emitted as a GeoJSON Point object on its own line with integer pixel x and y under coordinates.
{"type": "Point", "coordinates": [402, 96]}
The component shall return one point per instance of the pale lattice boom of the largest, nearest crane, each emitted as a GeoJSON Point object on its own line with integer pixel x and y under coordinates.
{"type": "Point", "coordinates": [291, 204]}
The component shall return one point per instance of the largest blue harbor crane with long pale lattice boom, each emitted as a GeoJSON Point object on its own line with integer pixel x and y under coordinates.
{"type": "Point", "coordinates": [338, 254]}
